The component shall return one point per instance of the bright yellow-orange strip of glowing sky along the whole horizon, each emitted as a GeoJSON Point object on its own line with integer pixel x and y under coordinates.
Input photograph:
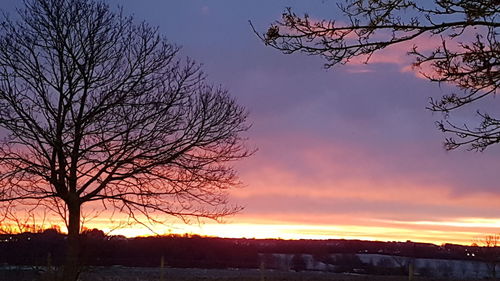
{"type": "Point", "coordinates": [463, 231]}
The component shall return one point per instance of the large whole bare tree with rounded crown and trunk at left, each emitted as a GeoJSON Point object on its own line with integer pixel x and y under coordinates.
{"type": "Point", "coordinates": [94, 107]}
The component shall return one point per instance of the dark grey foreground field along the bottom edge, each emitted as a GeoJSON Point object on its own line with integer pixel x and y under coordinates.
{"type": "Point", "coordinates": [174, 274]}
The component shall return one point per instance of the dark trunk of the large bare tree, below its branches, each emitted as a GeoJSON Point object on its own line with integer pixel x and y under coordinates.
{"type": "Point", "coordinates": [71, 266]}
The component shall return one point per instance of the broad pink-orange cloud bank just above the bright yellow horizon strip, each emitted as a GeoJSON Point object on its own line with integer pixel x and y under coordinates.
{"type": "Point", "coordinates": [354, 178]}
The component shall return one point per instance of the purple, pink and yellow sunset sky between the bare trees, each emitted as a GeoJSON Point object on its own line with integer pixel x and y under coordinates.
{"type": "Point", "coordinates": [349, 152]}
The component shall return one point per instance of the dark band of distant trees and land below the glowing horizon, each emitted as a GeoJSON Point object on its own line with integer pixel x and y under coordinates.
{"type": "Point", "coordinates": [208, 252]}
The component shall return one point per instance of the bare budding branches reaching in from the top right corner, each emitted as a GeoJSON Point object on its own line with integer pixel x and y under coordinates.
{"type": "Point", "coordinates": [468, 55]}
